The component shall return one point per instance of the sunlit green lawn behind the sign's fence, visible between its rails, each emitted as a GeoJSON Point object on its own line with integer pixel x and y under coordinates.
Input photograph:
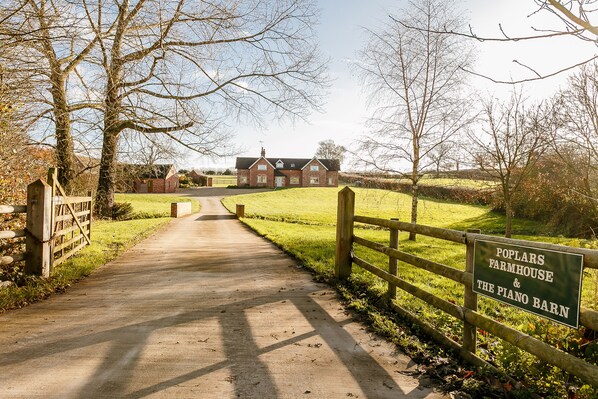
{"type": "Point", "coordinates": [302, 222]}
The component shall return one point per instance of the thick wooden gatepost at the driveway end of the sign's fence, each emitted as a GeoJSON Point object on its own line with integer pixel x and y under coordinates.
{"type": "Point", "coordinates": [344, 233]}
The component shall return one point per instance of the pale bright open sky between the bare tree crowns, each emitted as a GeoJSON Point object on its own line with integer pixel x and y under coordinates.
{"type": "Point", "coordinates": [341, 35]}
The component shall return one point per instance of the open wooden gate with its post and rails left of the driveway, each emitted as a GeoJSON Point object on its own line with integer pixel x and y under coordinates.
{"type": "Point", "coordinates": [57, 226]}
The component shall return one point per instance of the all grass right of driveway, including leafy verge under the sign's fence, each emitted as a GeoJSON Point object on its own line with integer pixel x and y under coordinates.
{"type": "Point", "coordinates": [302, 223]}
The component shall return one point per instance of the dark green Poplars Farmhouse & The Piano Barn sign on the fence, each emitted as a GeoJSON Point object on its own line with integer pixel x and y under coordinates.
{"type": "Point", "coordinates": [544, 282]}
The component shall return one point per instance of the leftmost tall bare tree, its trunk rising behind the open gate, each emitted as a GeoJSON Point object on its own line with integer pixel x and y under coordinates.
{"type": "Point", "coordinates": [45, 41]}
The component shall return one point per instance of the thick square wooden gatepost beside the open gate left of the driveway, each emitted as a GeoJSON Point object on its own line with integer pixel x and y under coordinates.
{"type": "Point", "coordinates": [39, 229]}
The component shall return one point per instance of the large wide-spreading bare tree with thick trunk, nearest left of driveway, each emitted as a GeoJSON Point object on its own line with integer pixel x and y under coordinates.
{"type": "Point", "coordinates": [180, 68]}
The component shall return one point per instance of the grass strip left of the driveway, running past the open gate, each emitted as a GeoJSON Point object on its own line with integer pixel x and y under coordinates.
{"type": "Point", "coordinates": [109, 239]}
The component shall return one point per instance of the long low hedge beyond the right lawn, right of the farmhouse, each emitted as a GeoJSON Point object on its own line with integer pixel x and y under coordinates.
{"type": "Point", "coordinates": [465, 195]}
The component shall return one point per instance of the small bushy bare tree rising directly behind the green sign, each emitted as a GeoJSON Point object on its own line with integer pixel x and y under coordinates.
{"type": "Point", "coordinates": [510, 143]}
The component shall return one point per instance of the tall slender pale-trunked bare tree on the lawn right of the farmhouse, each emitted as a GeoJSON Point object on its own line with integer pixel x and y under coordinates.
{"type": "Point", "coordinates": [415, 81]}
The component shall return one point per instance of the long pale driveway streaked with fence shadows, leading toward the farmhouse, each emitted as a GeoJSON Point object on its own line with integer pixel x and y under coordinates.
{"type": "Point", "coordinates": [206, 309]}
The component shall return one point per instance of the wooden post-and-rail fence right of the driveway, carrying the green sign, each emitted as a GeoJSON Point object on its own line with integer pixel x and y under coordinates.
{"type": "Point", "coordinates": [468, 312]}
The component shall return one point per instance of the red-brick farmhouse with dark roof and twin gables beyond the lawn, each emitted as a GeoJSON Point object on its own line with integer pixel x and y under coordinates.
{"type": "Point", "coordinates": [286, 172]}
